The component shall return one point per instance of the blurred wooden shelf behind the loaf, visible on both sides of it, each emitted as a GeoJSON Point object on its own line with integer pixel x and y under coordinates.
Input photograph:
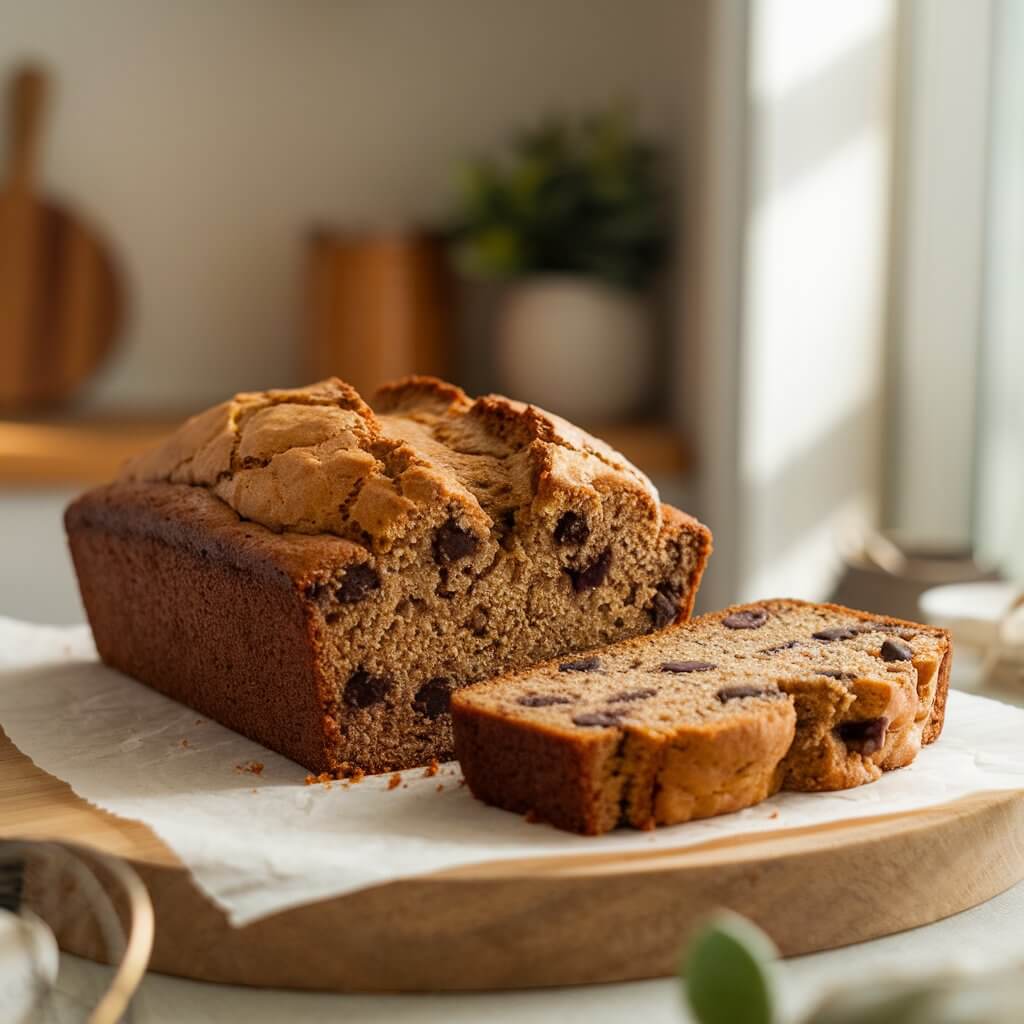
{"type": "Point", "coordinates": [91, 452]}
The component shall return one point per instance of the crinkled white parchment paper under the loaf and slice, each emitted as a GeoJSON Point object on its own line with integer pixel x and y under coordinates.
{"type": "Point", "coordinates": [259, 844]}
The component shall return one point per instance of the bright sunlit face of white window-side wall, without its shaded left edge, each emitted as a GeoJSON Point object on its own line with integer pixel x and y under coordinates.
{"type": "Point", "coordinates": [812, 374]}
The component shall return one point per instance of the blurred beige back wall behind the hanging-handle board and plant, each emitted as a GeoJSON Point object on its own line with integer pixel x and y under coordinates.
{"type": "Point", "coordinates": [206, 138]}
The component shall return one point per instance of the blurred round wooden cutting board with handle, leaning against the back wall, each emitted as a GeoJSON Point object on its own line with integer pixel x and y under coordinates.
{"type": "Point", "coordinates": [60, 296]}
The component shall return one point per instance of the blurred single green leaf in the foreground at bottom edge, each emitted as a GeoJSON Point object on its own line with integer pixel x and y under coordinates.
{"type": "Point", "coordinates": [728, 971]}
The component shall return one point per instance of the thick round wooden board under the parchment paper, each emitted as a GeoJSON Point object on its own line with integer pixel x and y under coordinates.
{"type": "Point", "coordinates": [558, 921]}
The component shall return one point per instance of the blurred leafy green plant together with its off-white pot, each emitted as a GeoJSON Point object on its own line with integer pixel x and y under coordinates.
{"type": "Point", "coordinates": [575, 219]}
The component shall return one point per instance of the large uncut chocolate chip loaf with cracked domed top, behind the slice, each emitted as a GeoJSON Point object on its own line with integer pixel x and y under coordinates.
{"type": "Point", "coordinates": [322, 576]}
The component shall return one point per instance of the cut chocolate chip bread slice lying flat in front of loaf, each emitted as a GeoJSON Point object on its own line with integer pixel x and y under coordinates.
{"type": "Point", "coordinates": [707, 717]}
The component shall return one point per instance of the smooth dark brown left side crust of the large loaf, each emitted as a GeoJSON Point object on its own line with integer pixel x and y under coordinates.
{"type": "Point", "coordinates": [181, 603]}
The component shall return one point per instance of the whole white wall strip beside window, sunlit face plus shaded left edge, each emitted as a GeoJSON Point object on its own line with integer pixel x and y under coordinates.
{"type": "Point", "coordinates": [792, 308]}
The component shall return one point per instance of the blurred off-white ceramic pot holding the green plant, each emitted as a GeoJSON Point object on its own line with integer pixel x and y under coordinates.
{"type": "Point", "coordinates": [577, 348]}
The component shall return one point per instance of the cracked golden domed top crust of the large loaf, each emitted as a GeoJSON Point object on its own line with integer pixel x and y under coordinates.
{"type": "Point", "coordinates": [318, 460]}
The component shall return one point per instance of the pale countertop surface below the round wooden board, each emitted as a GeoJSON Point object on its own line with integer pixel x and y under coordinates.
{"type": "Point", "coordinates": [989, 936]}
